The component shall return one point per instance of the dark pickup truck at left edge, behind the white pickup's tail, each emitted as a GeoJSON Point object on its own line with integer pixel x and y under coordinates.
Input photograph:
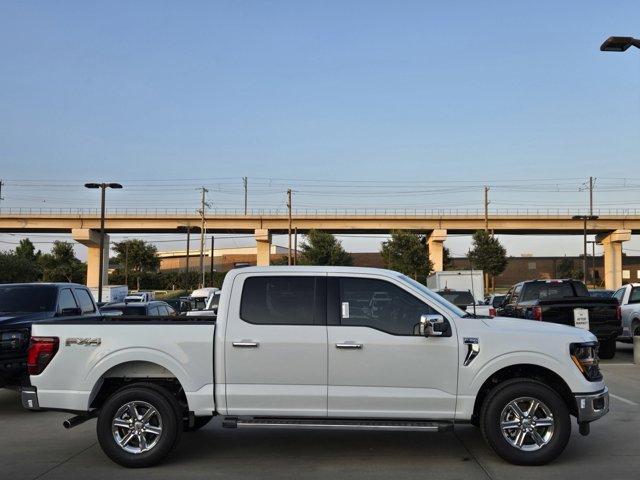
{"type": "Point", "coordinates": [22, 305]}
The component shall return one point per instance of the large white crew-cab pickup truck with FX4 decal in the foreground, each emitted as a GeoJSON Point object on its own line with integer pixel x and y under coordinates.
{"type": "Point", "coordinates": [320, 347]}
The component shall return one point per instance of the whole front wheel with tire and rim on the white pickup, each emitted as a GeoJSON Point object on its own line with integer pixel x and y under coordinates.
{"type": "Point", "coordinates": [525, 422]}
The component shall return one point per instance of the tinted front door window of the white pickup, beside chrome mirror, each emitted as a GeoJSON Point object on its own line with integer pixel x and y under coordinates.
{"type": "Point", "coordinates": [381, 305]}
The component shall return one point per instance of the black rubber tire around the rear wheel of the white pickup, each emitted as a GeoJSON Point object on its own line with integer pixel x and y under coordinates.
{"type": "Point", "coordinates": [168, 418]}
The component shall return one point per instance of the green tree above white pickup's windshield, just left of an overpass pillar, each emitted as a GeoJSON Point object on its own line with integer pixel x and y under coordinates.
{"type": "Point", "coordinates": [405, 253]}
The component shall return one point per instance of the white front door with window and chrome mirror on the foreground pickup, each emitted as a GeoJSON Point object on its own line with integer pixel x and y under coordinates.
{"type": "Point", "coordinates": [379, 365]}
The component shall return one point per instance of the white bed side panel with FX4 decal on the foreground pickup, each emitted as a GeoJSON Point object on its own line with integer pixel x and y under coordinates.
{"type": "Point", "coordinates": [90, 351]}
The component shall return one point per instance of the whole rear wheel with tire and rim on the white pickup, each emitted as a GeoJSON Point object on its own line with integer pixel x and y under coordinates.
{"type": "Point", "coordinates": [138, 426]}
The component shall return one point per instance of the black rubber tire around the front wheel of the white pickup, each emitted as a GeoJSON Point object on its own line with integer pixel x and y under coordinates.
{"type": "Point", "coordinates": [496, 404]}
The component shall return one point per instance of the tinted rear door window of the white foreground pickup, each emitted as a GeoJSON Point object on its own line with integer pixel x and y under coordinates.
{"type": "Point", "coordinates": [279, 300]}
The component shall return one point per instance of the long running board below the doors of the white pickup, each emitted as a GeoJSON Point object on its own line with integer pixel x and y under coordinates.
{"type": "Point", "coordinates": [338, 424]}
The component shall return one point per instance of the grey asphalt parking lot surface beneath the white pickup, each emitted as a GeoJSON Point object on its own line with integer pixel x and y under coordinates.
{"type": "Point", "coordinates": [34, 445]}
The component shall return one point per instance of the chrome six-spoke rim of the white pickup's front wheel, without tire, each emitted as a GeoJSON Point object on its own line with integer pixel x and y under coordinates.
{"type": "Point", "coordinates": [527, 424]}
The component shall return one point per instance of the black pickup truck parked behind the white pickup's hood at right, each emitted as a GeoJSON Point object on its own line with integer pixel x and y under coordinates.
{"type": "Point", "coordinates": [567, 302]}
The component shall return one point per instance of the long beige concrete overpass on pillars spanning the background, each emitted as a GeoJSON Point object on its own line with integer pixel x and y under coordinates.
{"type": "Point", "coordinates": [612, 227]}
